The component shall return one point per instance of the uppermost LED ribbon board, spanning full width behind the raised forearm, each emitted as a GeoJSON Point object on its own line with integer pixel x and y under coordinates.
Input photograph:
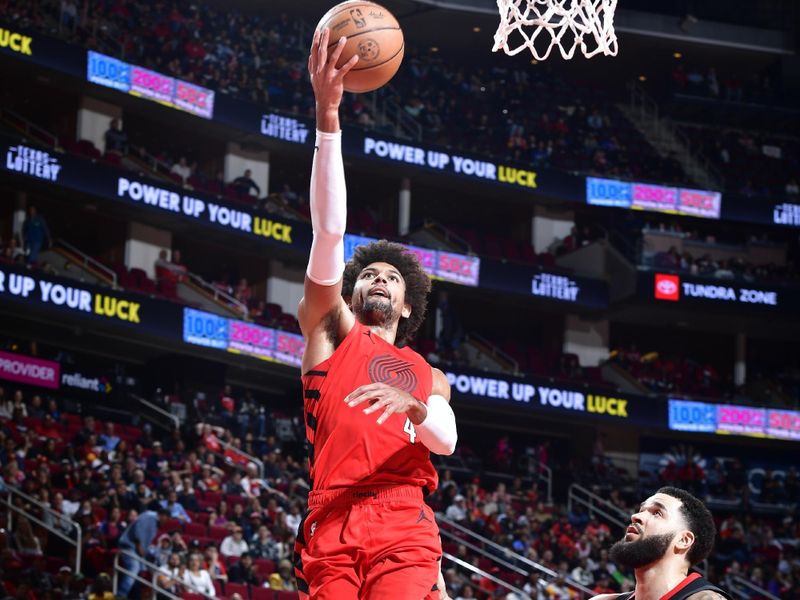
{"type": "Point", "coordinates": [411, 157]}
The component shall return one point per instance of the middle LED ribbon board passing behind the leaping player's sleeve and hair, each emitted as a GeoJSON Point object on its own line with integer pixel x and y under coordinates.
{"type": "Point", "coordinates": [118, 185]}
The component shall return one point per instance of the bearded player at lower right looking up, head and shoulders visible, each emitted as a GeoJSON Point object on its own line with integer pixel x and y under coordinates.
{"type": "Point", "coordinates": [672, 532]}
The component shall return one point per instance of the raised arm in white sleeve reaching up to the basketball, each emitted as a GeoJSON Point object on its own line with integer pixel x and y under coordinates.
{"type": "Point", "coordinates": [322, 307]}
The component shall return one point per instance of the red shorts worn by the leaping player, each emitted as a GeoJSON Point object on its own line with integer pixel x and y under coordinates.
{"type": "Point", "coordinates": [360, 544]}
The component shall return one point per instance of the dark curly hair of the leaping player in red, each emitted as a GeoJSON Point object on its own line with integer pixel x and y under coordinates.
{"type": "Point", "coordinates": [418, 284]}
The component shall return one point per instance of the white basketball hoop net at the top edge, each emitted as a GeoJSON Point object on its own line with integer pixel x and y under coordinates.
{"type": "Point", "coordinates": [542, 24]}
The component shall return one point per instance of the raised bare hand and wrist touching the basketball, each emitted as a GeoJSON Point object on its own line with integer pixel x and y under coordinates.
{"type": "Point", "coordinates": [326, 79]}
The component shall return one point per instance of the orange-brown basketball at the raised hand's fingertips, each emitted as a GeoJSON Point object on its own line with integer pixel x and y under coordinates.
{"type": "Point", "coordinates": [374, 34]}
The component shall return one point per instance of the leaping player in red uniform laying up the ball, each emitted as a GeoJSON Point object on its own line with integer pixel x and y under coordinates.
{"type": "Point", "coordinates": [374, 411]}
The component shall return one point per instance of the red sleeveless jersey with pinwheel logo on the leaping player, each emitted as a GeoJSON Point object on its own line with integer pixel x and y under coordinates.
{"type": "Point", "coordinates": [348, 448]}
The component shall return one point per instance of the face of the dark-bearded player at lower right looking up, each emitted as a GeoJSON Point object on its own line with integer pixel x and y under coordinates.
{"type": "Point", "coordinates": [654, 530]}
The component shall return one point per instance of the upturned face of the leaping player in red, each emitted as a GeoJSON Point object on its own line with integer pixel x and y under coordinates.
{"type": "Point", "coordinates": [379, 295]}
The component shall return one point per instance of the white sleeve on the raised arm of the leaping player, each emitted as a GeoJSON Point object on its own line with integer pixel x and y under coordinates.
{"type": "Point", "coordinates": [328, 199]}
